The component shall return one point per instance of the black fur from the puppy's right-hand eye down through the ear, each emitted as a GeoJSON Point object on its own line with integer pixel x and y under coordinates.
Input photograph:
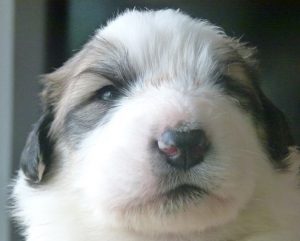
{"type": "Point", "coordinates": [265, 115]}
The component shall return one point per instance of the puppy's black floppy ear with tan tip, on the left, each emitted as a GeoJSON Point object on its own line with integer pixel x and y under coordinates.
{"type": "Point", "coordinates": [38, 152]}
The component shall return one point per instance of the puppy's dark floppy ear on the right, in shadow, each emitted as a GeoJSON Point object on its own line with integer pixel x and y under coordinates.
{"type": "Point", "coordinates": [278, 135]}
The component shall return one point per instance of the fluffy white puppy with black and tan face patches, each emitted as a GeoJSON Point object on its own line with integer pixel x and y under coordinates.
{"type": "Point", "coordinates": [157, 130]}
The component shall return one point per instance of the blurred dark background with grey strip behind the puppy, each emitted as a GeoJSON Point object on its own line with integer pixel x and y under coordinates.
{"type": "Point", "coordinates": [37, 36]}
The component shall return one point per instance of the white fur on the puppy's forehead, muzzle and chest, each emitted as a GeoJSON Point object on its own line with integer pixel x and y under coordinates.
{"type": "Point", "coordinates": [106, 190]}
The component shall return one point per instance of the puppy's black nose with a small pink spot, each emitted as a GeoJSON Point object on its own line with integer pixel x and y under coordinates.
{"type": "Point", "coordinates": [183, 149]}
